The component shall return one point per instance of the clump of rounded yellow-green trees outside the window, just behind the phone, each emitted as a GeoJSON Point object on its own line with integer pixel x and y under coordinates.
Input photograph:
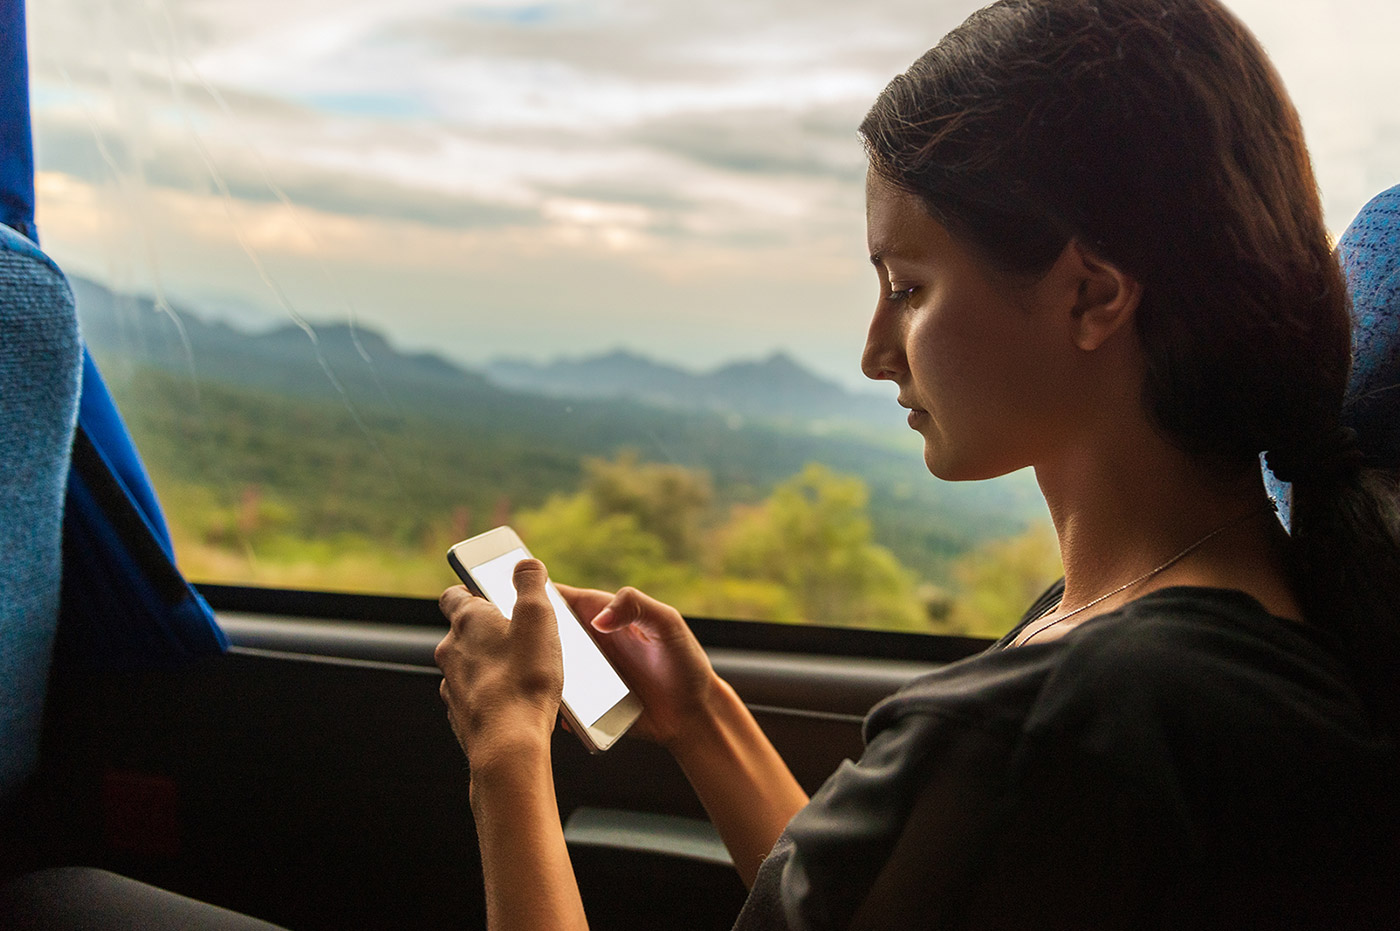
{"type": "Point", "coordinates": [804, 555]}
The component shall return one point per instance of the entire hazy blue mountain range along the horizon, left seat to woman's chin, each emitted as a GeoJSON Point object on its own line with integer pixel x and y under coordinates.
{"type": "Point", "coordinates": [362, 366]}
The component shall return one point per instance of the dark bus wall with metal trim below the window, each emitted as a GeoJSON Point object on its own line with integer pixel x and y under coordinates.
{"type": "Point", "coordinates": [310, 778]}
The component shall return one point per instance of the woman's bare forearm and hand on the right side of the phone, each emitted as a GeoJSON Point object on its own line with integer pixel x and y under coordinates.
{"type": "Point", "coordinates": [744, 785]}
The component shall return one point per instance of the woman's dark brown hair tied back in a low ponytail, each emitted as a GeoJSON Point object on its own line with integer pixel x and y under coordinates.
{"type": "Point", "coordinates": [1158, 135]}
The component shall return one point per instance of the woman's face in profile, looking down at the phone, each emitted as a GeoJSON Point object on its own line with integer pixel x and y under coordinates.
{"type": "Point", "coordinates": [985, 365]}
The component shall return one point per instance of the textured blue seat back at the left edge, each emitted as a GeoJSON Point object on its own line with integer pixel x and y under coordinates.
{"type": "Point", "coordinates": [40, 381]}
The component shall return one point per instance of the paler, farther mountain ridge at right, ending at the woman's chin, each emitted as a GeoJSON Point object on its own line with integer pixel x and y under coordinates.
{"type": "Point", "coordinates": [773, 388]}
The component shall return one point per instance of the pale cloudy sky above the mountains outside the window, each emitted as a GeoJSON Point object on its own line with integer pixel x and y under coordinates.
{"type": "Point", "coordinates": [492, 178]}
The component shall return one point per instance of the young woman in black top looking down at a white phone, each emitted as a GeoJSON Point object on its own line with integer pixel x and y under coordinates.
{"type": "Point", "coordinates": [1101, 254]}
